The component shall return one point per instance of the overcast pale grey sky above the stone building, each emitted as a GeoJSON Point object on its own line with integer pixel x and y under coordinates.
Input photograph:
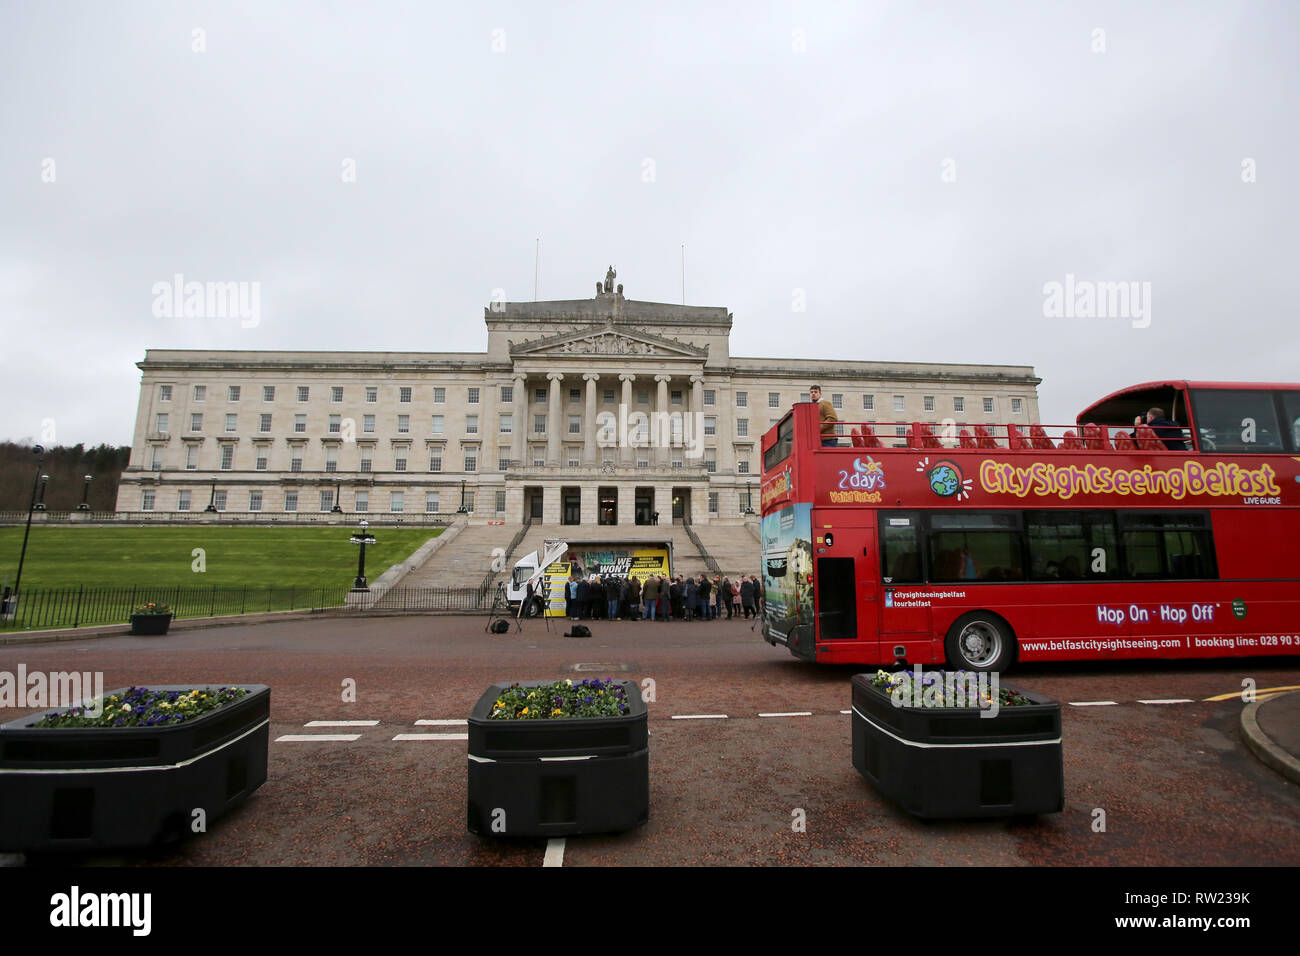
{"type": "Point", "coordinates": [920, 171]}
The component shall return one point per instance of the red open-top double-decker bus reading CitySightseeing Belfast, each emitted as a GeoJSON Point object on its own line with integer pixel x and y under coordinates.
{"type": "Point", "coordinates": [980, 546]}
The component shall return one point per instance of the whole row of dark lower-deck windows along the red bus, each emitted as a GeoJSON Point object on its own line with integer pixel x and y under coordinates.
{"type": "Point", "coordinates": [950, 547]}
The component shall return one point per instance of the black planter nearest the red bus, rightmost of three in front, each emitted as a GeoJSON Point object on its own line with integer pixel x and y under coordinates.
{"type": "Point", "coordinates": [946, 763]}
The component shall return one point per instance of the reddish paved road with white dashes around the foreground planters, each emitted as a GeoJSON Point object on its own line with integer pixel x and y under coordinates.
{"type": "Point", "coordinates": [1177, 785]}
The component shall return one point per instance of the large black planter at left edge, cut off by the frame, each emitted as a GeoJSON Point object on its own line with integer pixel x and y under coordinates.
{"type": "Point", "coordinates": [105, 788]}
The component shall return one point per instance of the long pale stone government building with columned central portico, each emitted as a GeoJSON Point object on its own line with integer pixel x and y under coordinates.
{"type": "Point", "coordinates": [518, 430]}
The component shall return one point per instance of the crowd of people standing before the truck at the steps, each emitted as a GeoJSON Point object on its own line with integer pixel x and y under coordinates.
{"type": "Point", "coordinates": [662, 599]}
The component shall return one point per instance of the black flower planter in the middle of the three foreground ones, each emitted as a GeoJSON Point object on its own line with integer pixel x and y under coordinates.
{"type": "Point", "coordinates": [562, 777]}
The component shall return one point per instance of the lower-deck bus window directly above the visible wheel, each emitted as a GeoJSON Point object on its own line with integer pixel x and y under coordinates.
{"type": "Point", "coordinates": [976, 547]}
